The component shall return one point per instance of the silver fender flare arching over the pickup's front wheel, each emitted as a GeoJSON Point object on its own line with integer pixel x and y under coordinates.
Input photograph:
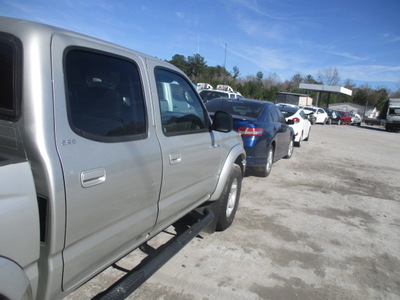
{"type": "Point", "coordinates": [237, 153]}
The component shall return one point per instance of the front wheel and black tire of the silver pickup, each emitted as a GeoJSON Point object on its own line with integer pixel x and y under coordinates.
{"type": "Point", "coordinates": [229, 200]}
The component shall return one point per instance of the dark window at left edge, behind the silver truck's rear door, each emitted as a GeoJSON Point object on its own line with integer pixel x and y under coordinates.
{"type": "Point", "coordinates": [9, 76]}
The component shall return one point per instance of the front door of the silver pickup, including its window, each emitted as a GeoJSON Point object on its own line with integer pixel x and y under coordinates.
{"type": "Point", "coordinates": [191, 151]}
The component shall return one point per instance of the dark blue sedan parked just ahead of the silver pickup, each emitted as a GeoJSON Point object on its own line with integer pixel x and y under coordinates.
{"type": "Point", "coordinates": [264, 130]}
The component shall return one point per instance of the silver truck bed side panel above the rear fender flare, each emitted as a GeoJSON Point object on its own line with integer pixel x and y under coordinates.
{"type": "Point", "coordinates": [19, 216]}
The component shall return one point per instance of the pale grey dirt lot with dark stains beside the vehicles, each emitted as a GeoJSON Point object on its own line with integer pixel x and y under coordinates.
{"type": "Point", "coordinates": [324, 225]}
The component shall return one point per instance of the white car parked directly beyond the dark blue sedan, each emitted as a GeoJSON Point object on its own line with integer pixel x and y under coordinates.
{"type": "Point", "coordinates": [301, 126]}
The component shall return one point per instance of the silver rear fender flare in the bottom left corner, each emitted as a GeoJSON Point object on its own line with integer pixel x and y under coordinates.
{"type": "Point", "coordinates": [14, 283]}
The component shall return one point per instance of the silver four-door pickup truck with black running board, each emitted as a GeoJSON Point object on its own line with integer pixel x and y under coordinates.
{"type": "Point", "coordinates": [101, 149]}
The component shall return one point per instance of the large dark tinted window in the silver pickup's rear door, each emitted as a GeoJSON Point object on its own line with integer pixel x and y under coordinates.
{"type": "Point", "coordinates": [104, 97]}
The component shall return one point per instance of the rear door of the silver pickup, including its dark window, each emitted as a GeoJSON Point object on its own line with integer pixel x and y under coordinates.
{"type": "Point", "coordinates": [109, 153]}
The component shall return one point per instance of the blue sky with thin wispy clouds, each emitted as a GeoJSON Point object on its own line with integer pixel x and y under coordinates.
{"type": "Point", "coordinates": [360, 38]}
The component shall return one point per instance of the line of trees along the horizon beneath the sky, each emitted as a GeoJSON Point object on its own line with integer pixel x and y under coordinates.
{"type": "Point", "coordinates": [263, 87]}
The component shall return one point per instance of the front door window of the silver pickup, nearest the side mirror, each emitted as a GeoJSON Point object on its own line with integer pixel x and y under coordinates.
{"type": "Point", "coordinates": [181, 110]}
